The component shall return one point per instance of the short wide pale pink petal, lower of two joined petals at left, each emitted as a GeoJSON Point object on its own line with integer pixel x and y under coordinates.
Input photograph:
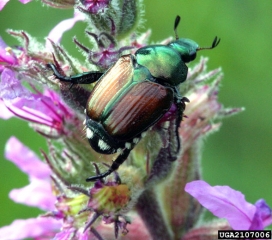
{"type": "Point", "coordinates": [37, 194]}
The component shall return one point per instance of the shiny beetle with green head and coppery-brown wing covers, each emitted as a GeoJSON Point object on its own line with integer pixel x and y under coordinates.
{"type": "Point", "coordinates": [135, 93]}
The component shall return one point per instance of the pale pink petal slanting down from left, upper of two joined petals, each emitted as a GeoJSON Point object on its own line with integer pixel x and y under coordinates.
{"type": "Point", "coordinates": [26, 160]}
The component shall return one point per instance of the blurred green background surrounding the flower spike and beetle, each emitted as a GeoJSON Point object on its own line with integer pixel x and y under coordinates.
{"type": "Point", "coordinates": [239, 155]}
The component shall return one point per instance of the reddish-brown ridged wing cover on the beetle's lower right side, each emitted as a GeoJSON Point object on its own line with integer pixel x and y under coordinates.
{"type": "Point", "coordinates": [141, 107]}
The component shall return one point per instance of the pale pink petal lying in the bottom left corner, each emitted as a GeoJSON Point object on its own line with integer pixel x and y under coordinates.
{"type": "Point", "coordinates": [31, 228]}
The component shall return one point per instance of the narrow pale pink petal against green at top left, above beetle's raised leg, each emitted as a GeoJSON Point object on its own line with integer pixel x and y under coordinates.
{"type": "Point", "coordinates": [56, 33]}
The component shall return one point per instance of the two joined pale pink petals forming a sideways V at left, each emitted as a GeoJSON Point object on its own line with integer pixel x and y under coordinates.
{"type": "Point", "coordinates": [38, 193]}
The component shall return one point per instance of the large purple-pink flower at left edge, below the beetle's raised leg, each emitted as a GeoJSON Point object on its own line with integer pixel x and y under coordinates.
{"type": "Point", "coordinates": [46, 111]}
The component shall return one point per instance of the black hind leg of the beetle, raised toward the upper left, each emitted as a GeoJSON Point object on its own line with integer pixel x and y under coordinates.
{"type": "Point", "coordinates": [83, 78]}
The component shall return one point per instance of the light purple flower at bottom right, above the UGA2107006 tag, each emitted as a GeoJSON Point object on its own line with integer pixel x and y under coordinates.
{"type": "Point", "coordinates": [224, 202]}
